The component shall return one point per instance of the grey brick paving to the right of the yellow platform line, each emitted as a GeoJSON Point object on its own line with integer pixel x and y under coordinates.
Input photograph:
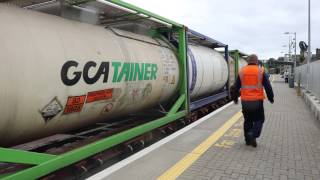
{"type": "Point", "coordinates": [289, 147]}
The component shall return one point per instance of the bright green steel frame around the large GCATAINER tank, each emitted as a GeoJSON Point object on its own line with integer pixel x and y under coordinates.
{"type": "Point", "coordinates": [44, 164]}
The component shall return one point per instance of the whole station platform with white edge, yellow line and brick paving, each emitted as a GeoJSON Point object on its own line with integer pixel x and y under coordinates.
{"type": "Point", "coordinates": [214, 148]}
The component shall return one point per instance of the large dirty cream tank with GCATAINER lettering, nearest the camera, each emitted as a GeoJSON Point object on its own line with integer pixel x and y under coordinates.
{"type": "Point", "coordinates": [57, 75]}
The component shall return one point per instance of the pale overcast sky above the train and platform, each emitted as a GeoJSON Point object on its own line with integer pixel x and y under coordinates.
{"type": "Point", "coordinates": [250, 26]}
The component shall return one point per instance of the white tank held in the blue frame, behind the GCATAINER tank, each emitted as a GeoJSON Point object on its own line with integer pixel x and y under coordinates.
{"type": "Point", "coordinates": [208, 71]}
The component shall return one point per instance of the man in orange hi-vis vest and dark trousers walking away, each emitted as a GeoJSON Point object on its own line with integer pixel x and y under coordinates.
{"type": "Point", "coordinates": [249, 85]}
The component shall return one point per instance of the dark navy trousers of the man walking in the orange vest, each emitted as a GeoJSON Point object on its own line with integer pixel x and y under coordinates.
{"type": "Point", "coordinates": [253, 113]}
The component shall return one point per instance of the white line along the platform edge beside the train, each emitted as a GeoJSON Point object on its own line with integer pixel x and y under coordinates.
{"type": "Point", "coordinates": [154, 146]}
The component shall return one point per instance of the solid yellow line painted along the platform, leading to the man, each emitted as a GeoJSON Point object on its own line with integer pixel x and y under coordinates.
{"type": "Point", "coordinates": [191, 157]}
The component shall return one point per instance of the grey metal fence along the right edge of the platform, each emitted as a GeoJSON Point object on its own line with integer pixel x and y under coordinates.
{"type": "Point", "coordinates": [314, 78]}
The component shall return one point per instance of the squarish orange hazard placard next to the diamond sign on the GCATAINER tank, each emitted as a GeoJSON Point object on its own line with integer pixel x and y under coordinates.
{"type": "Point", "coordinates": [74, 104]}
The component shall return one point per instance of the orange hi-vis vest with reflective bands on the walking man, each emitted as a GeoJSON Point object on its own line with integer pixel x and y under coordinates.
{"type": "Point", "coordinates": [251, 83]}
